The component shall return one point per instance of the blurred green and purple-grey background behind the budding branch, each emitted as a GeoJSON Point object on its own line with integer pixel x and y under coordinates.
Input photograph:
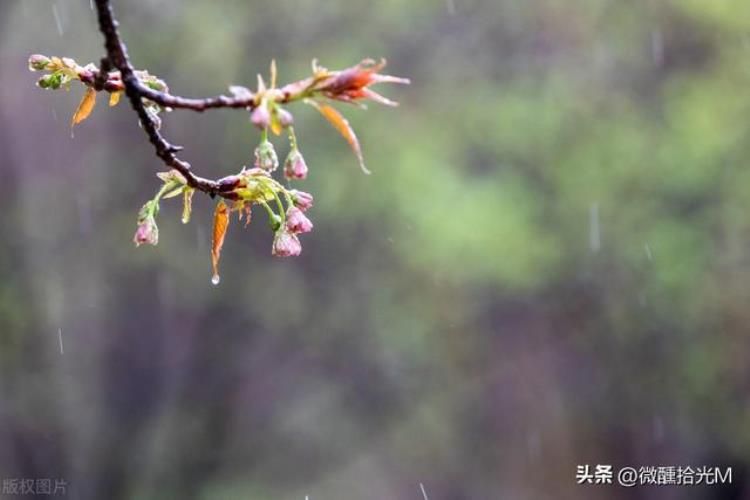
{"type": "Point", "coordinates": [550, 265]}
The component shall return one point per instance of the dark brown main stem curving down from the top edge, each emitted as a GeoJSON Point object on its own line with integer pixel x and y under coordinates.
{"type": "Point", "coordinates": [117, 56]}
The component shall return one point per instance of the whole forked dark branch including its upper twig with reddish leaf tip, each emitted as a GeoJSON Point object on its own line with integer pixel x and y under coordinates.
{"type": "Point", "coordinates": [116, 74]}
